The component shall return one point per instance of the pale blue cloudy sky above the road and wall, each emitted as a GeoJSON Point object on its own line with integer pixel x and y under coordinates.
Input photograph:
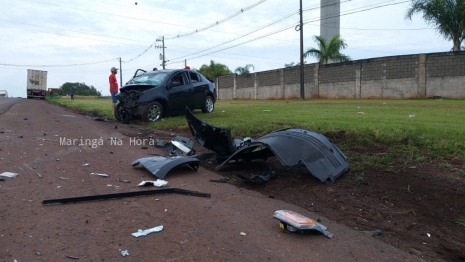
{"type": "Point", "coordinates": [80, 40]}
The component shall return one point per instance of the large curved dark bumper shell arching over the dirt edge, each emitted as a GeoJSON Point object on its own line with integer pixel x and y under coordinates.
{"type": "Point", "coordinates": [293, 147]}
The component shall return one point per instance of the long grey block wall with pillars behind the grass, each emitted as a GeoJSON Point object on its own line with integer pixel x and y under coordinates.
{"type": "Point", "coordinates": [407, 76]}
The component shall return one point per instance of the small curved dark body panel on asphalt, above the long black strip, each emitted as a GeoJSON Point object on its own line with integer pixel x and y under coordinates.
{"type": "Point", "coordinates": [160, 166]}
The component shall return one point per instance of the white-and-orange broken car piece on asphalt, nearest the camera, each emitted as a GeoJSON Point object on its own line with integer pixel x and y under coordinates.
{"type": "Point", "coordinates": [295, 222]}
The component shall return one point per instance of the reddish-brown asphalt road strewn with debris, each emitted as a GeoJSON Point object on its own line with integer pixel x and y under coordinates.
{"type": "Point", "coordinates": [233, 225]}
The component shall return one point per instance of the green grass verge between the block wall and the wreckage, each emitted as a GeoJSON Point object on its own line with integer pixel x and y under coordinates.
{"type": "Point", "coordinates": [384, 135]}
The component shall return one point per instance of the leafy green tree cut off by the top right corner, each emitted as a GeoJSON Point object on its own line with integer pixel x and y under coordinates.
{"type": "Point", "coordinates": [448, 16]}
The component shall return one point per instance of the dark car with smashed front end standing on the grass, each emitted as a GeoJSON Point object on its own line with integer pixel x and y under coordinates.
{"type": "Point", "coordinates": [156, 94]}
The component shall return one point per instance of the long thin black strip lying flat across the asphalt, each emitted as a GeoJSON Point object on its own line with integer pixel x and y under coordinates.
{"type": "Point", "coordinates": [126, 194]}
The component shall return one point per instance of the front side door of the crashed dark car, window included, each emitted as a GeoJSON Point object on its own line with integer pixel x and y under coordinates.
{"type": "Point", "coordinates": [180, 92]}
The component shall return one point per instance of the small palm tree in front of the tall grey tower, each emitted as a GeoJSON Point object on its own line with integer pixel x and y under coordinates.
{"type": "Point", "coordinates": [328, 51]}
